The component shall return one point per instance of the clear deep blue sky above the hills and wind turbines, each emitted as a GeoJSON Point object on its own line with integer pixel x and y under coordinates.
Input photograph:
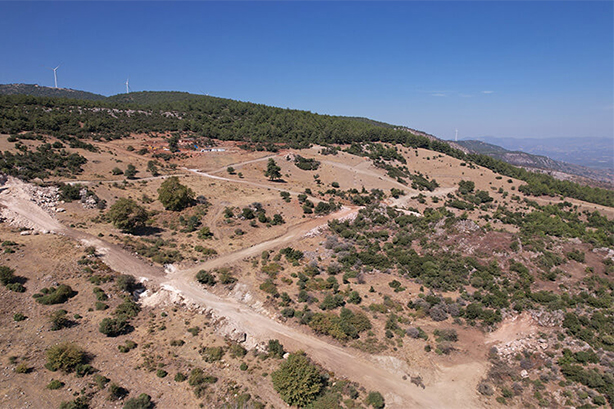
{"type": "Point", "coordinates": [508, 69]}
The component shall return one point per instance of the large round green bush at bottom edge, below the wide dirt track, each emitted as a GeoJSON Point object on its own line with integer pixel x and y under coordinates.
{"type": "Point", "coordinates": [297, 380]}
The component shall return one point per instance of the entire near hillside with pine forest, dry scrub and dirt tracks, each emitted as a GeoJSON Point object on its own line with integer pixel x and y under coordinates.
{"type": "Point", "coordinates": [184, 244]}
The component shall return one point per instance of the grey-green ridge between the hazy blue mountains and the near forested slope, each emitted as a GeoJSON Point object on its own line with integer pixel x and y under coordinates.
{"type": "Point", "coordinates": [538, 162]}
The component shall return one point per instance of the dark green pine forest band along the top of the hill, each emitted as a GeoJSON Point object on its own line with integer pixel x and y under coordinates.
{"type": "Point", "coordinates": [225, 119]}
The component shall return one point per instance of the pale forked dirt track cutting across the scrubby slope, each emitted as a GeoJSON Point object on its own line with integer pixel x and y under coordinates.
{"type": "Point", "coordinates": [454, 388]}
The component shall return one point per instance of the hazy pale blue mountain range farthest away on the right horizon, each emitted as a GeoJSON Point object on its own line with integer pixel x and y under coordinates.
{"type": "Point", "coordinates": [595, 153]}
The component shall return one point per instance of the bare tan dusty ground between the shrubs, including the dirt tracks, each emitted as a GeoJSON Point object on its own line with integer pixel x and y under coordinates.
{"type": "Point", "coordinates": [244, 313]}
